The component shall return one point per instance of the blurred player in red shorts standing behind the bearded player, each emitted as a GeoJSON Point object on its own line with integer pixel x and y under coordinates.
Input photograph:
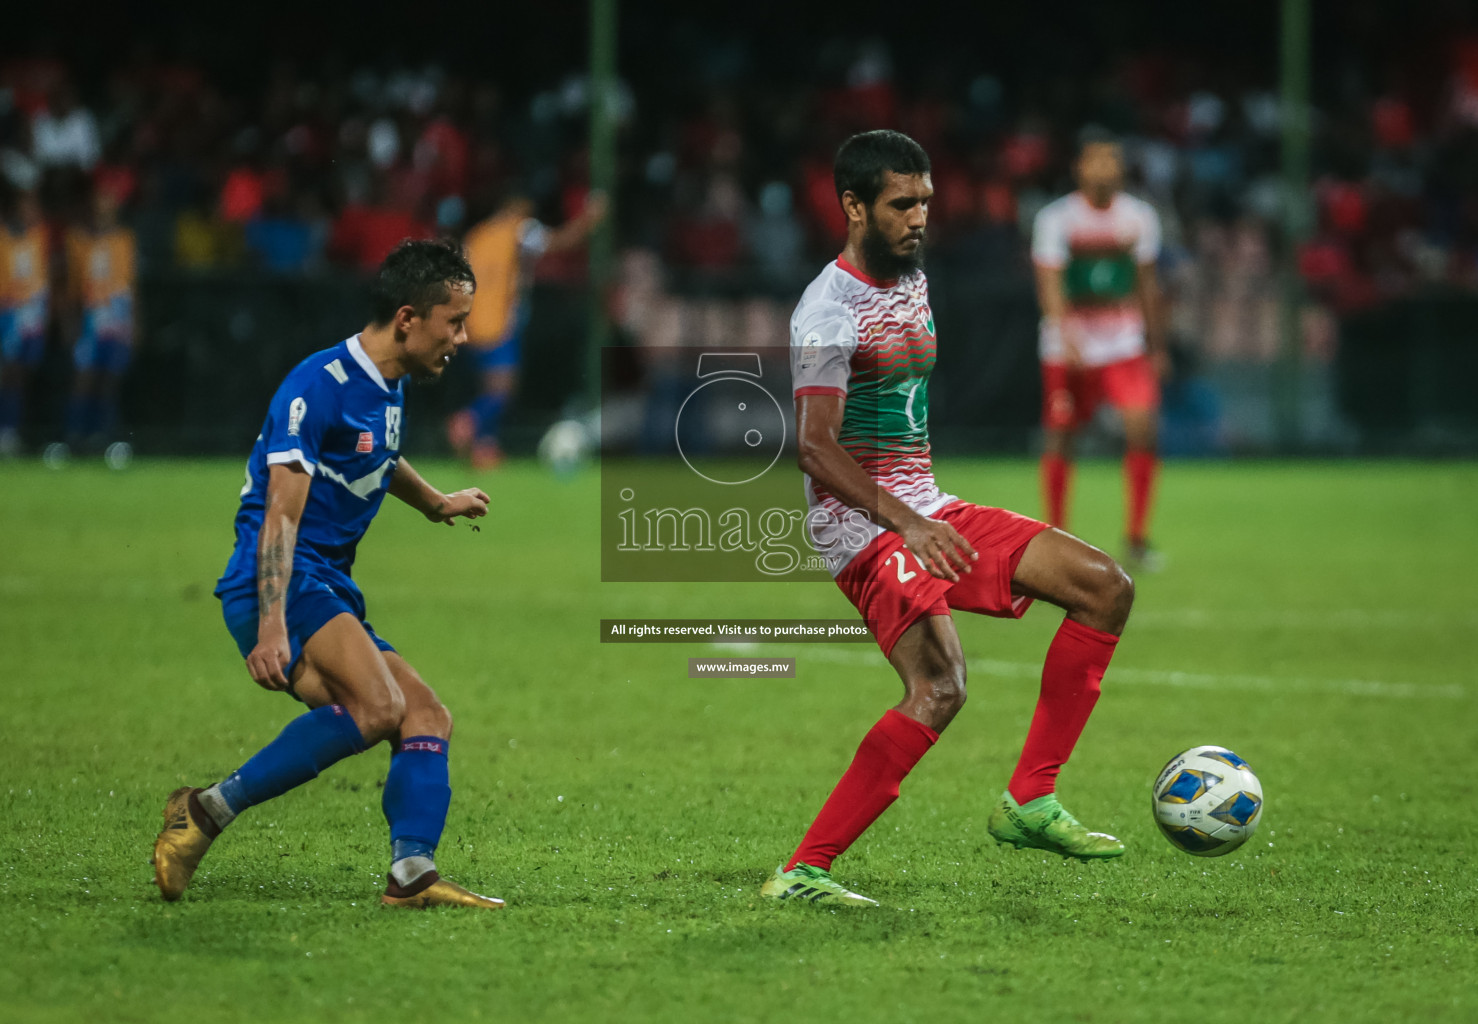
{"type": "Point", "coordinates": [1102, 339]}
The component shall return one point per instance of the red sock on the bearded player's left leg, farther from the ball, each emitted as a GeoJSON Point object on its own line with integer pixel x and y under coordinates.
{"type": "Point", "coordinates": [889, 751]}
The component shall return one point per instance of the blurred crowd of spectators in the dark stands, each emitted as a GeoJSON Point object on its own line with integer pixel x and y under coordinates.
{"type": "Point", "coordinates": [725, 174]}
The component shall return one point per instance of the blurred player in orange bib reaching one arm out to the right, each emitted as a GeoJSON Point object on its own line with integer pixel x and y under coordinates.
{"type": "Point", "coordinates": [503, 252]}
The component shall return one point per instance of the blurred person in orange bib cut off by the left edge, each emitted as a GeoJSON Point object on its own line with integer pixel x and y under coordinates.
{"type": "Point", "coordinates": [24, 313]}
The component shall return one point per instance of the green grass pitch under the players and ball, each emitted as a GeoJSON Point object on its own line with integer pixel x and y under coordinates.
{"type": "Point", "coordinates": [1316, 618]}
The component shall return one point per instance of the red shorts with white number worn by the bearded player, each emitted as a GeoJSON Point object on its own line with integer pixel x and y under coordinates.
{"type": "Point", "coordinates": [893, 592]}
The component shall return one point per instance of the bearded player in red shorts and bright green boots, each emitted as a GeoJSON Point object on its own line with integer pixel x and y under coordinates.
{"type": "Point", "coordinates": [905, 553]}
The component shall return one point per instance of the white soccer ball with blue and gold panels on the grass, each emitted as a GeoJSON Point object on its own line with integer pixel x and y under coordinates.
{"type": "Point", "coordinates": [1207, 802]}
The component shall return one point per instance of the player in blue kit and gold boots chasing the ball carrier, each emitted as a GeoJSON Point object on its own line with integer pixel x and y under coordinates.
{"type": "Point", "coordinates": [326, 459]}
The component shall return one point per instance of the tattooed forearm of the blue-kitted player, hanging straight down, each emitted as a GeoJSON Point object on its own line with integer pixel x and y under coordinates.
{"type": "Point", "coordinates": [285, 503]}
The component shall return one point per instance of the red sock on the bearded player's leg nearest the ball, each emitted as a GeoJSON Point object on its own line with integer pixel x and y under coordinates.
{"type": "Point", "coordinates": [1071, 680]}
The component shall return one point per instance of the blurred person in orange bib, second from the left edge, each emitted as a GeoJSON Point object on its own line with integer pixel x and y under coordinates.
{"type": "Point", "coordinates": [101, 267]}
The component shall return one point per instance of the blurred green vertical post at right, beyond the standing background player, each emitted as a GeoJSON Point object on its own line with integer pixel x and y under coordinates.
{"type": "Point", "coordinates": [1297, 218]}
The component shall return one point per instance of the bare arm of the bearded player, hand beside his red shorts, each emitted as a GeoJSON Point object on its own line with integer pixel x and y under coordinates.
{"type": "Point", "coordinates": [936, 545]}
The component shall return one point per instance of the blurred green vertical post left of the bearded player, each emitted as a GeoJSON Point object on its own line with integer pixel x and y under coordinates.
{"type": "Point", "coordinates": [604, 178]}
